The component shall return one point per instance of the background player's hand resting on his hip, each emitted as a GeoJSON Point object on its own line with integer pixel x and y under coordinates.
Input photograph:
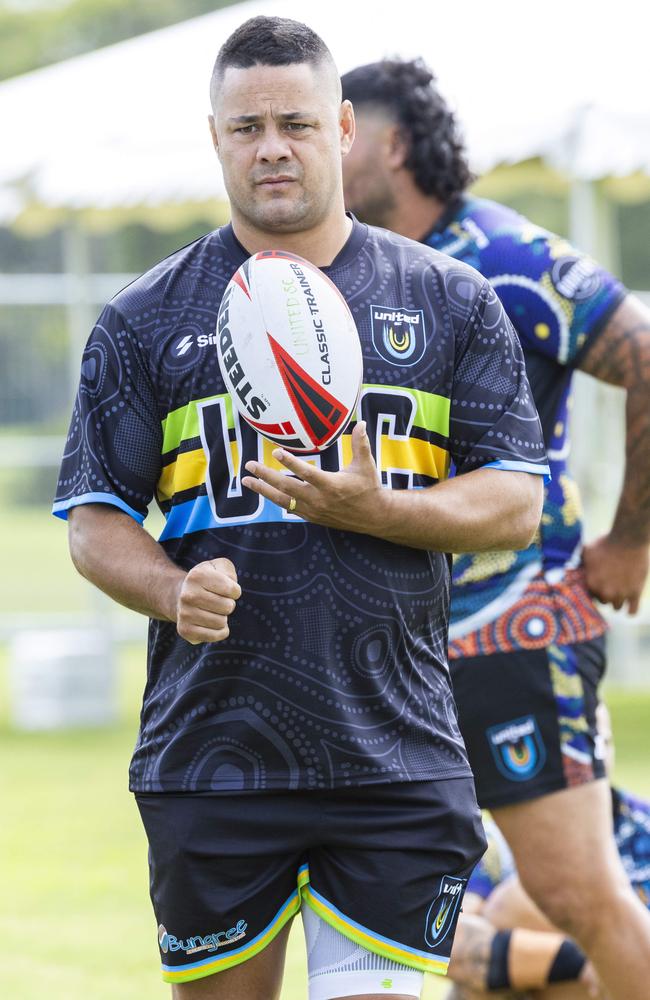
{"type": "Point", "coordinates": [616, 573]}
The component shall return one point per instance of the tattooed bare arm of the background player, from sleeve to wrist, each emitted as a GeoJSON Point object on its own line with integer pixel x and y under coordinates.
{"type": "Point", "coordinates": [621, 356]}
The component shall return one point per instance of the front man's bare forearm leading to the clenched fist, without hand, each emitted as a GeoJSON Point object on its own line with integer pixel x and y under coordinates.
{"type": "Point", "coordinates": [116, 554]}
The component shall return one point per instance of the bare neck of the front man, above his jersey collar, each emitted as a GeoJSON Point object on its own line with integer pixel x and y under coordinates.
{"type": "Point", "coordinates": [319, 245]}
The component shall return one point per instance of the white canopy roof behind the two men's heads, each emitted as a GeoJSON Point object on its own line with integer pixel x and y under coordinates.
{"type": "Point", "coordinates": [126, 125]}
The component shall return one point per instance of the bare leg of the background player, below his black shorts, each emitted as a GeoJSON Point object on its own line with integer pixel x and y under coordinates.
{"type": "Point", "coordinates": [568, 863]}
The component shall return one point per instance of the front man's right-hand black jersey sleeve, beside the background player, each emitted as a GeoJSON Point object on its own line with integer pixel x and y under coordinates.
{"type": "Point", "coordinates": [493, 419]}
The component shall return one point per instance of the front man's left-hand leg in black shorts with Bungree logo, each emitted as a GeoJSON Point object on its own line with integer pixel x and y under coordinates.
{"type": "Point", "coordinates": [223, 879]}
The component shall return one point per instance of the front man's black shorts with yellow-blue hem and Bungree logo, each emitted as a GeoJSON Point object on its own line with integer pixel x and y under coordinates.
{"type": "Point", "coordinates": [386, 865]}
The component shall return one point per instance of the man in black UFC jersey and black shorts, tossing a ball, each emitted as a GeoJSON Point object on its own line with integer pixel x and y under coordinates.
{"type": "Point", "coordinates": [298, 738]}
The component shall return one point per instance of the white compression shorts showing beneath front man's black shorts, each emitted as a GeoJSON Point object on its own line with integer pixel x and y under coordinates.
{"type": "Point", "coordinates": [338, 967]}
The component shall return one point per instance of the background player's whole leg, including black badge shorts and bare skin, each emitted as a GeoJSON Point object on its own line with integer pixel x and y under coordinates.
{"type": "Point", "coordinates": [528, 719]}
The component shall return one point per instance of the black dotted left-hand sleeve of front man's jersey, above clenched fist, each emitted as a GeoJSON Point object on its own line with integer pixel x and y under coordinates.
{"type": "Point", "coordinates": [112, 452]}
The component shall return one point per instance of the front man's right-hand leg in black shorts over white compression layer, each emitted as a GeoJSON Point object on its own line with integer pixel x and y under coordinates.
{"type": "Point", "coordinates": [387, 884]}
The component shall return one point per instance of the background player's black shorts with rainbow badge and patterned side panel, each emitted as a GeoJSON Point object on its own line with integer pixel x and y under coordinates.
{"type": "Point", "coordinates": [528, 720]}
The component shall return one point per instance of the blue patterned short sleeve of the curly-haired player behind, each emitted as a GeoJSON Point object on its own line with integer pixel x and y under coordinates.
{"type": "Point", "coordinates": [557, 298]}
